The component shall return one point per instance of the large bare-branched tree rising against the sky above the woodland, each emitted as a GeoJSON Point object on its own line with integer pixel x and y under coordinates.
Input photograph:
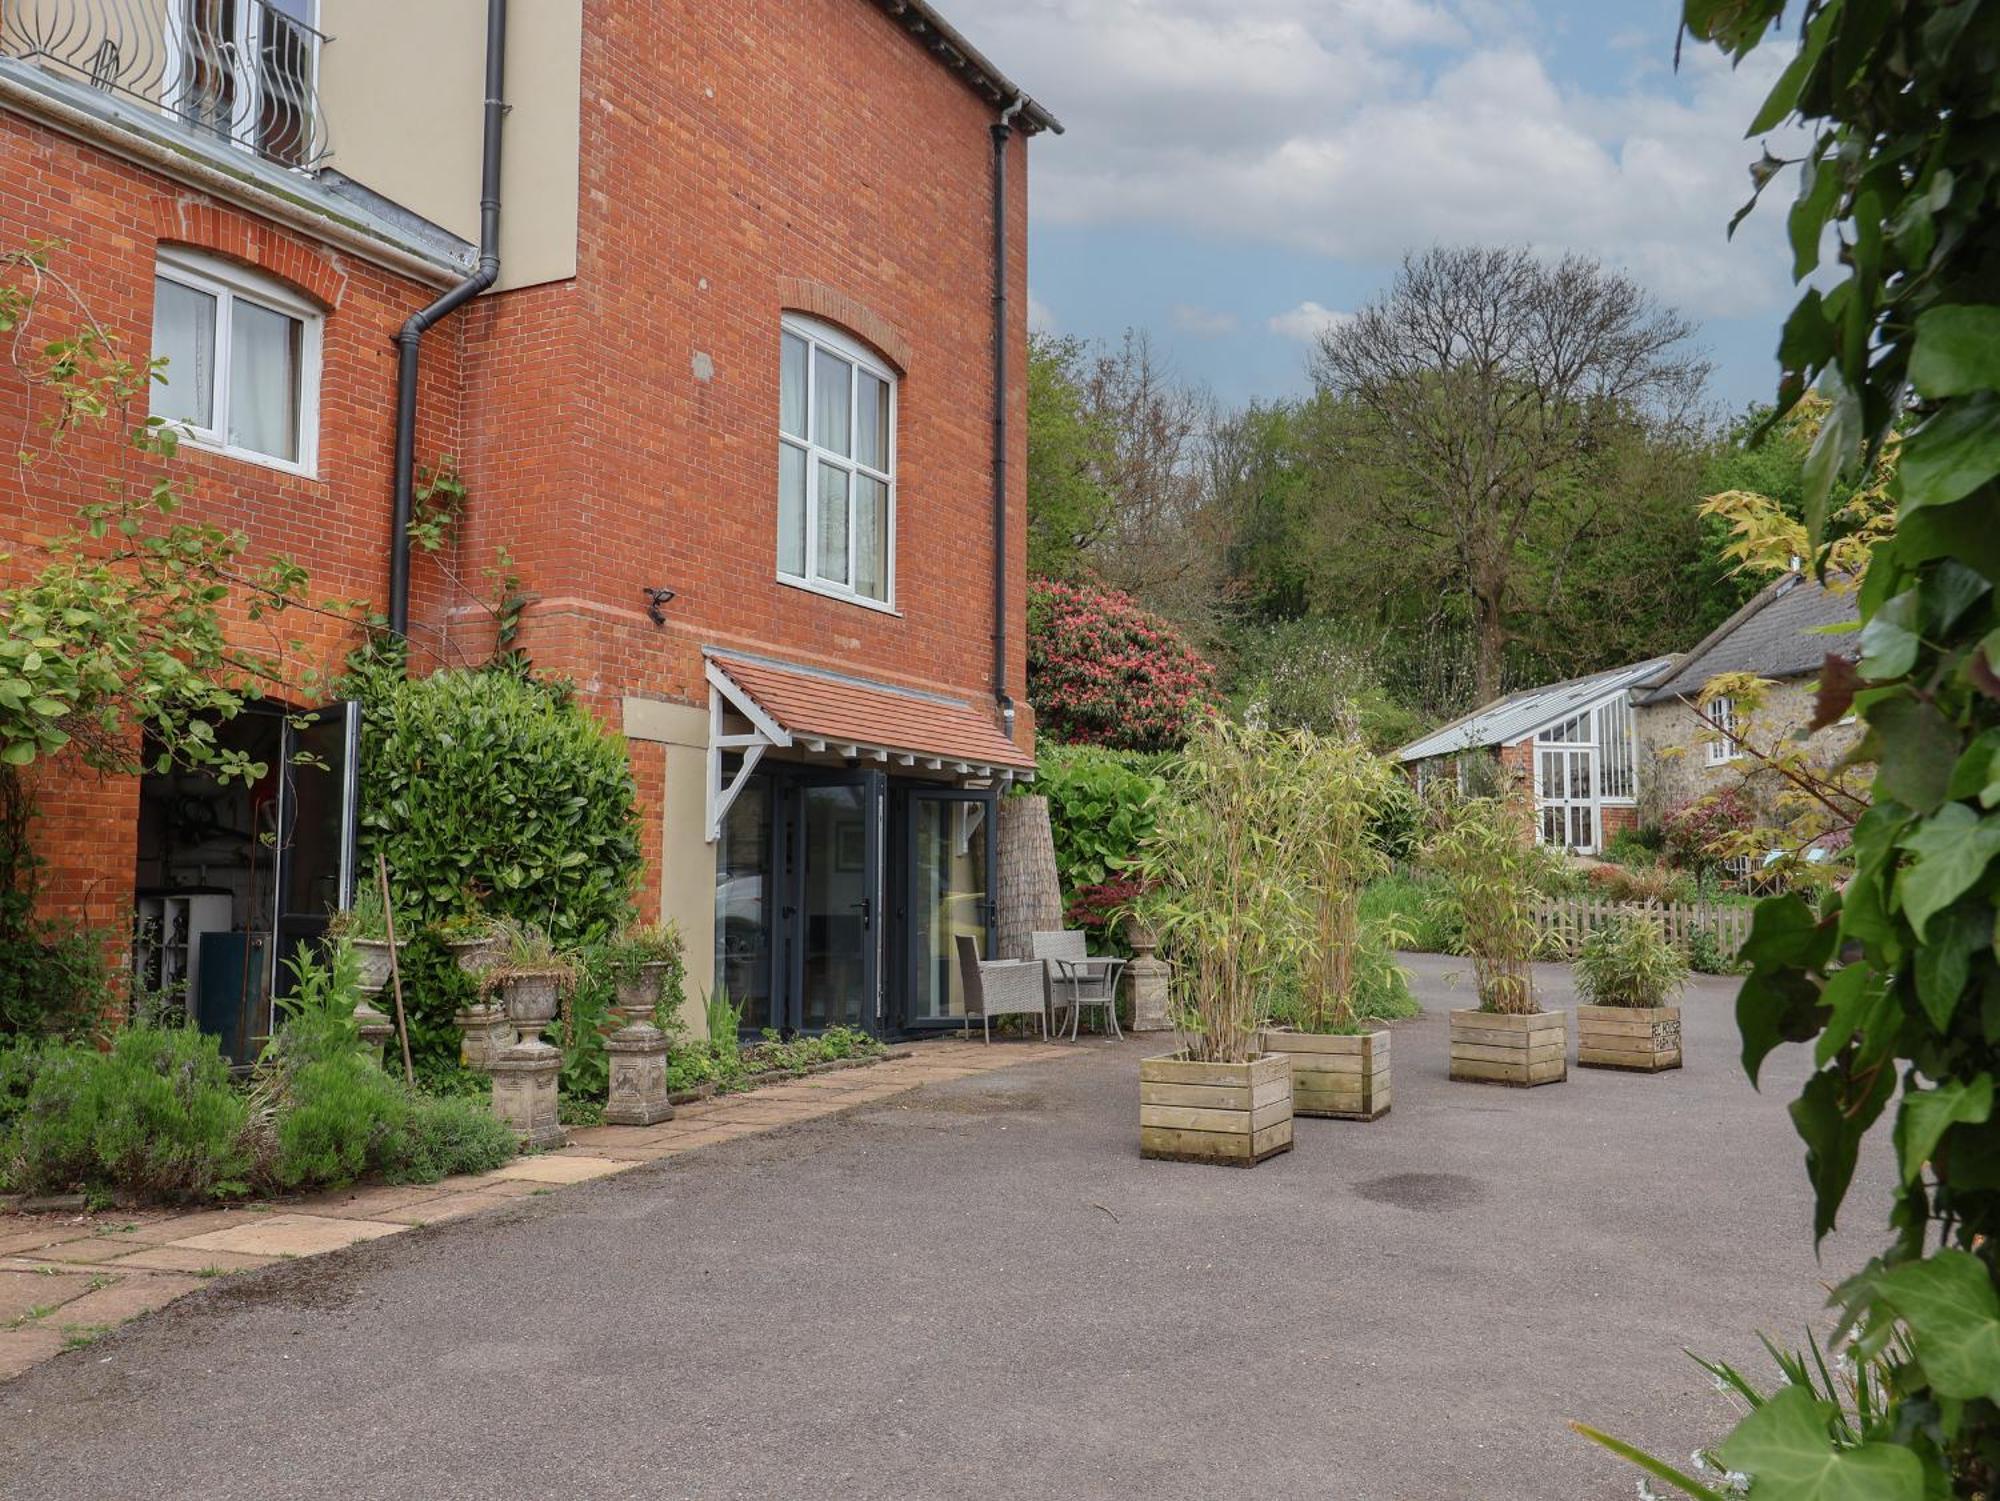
{"type": "Point", "coordinates": [1491, 387]}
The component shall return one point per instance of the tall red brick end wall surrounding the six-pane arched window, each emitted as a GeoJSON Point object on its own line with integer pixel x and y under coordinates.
{"type": "Point", "coordinates": [741, 161]}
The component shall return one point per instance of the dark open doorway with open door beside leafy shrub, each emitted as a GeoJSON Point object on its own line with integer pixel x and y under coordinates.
{"type": "Point", "coordinates": [233, 878]}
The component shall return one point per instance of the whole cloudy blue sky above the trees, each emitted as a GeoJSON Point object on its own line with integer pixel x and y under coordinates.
{"type": "Point", "coordinates": [1241, 171]}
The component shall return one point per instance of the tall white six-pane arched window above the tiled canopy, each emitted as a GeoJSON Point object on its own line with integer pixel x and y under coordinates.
{"type": "Point", "coordinates": [837, 465]}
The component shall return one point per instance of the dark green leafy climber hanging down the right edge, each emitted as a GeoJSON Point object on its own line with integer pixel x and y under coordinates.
{"type": "Point", "coordinates": [1893, 976]}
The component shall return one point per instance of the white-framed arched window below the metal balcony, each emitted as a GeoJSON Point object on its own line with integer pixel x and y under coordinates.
{"type": "Point", "coordinates": [243, 361]}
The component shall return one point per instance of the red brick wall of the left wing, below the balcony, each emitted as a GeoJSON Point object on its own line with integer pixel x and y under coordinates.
{"type": "Point", "coordinates": [113, 219]}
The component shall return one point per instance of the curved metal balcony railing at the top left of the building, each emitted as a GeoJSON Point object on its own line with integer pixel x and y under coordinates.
{"type": "Point", "coordinates": [241, 71]}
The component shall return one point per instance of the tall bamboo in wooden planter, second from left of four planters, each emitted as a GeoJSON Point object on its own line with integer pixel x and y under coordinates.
{"type": "Point", "coordinates": [1337, 790]}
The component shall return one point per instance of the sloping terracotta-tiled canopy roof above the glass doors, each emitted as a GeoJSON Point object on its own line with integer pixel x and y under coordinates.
{"type": "Point", "coordinates": [813, 703]}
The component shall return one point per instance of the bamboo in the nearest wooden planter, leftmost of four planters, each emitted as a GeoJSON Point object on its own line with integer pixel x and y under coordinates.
{"type": "Point", "coordinates": [1217, 896]}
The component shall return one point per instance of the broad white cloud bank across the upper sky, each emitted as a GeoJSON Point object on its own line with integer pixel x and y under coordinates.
{"type": "Point", "coordinates": [1363, 129]}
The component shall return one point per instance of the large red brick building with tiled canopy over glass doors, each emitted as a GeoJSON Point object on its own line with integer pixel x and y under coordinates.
{"type": "Point", "coordinates": [729, 405]}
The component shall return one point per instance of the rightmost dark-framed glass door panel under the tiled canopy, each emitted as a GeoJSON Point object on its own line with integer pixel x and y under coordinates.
{"type": "Point", "coordinates": [951, 896]}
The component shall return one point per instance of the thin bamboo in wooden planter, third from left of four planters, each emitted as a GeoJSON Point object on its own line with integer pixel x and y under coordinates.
{"type": "Point", "coordinates": [1491, 864]}
